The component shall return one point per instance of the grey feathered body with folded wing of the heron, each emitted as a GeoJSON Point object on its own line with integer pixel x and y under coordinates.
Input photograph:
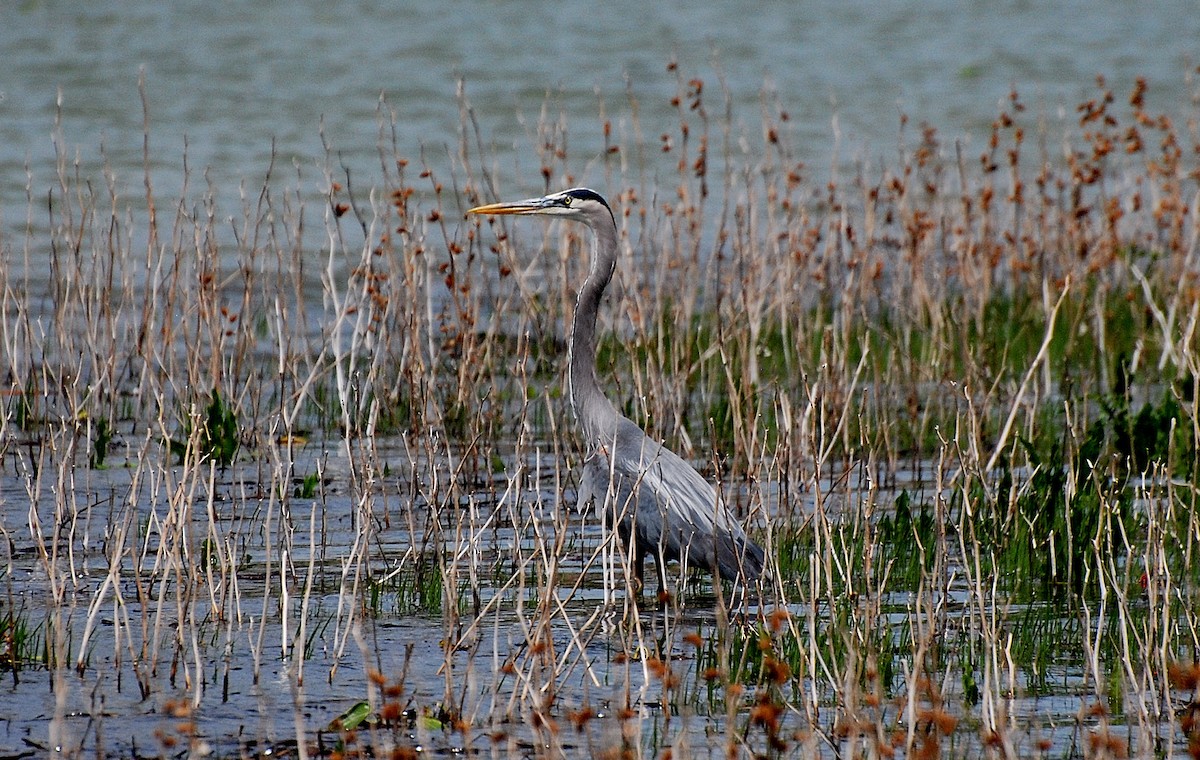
{"type": "Point", "coordinates": [674, 510]}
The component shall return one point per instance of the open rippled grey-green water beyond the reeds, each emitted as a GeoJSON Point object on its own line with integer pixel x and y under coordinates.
{"type": "Point", "coordinates": [233, 79]}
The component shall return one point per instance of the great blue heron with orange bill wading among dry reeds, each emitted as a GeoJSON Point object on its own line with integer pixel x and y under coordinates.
{"type": "Point", "coordinates": [659, 504]}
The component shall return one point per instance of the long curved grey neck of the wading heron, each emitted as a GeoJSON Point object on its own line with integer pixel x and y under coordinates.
{"type": "Point", "coordinates": [591, 406]}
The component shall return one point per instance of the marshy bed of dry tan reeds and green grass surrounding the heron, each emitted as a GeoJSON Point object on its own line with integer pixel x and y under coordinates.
{"type": "Point", "coordinates": [295, 474]}
